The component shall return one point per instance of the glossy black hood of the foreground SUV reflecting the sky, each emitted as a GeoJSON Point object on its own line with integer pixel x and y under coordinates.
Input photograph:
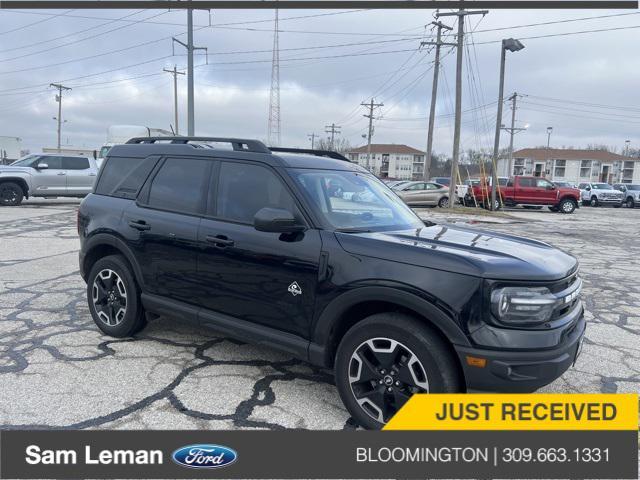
{"type": "Point", "coordinates": [466, 251]}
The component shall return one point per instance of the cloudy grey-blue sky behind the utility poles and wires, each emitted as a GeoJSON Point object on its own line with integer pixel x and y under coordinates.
{"type": "Point", "coordinates": [585, 85]}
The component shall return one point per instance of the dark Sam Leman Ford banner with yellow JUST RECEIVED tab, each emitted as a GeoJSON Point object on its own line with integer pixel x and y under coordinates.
{"type": "Point", "coordinates": [510, 440]}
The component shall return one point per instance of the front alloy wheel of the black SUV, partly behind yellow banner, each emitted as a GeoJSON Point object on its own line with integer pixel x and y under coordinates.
{"type": "Point", "coordinates": [383, 374]}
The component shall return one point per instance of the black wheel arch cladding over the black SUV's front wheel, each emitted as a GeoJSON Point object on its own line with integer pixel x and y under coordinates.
{"type": "Point", "coordinates": [352, 307]}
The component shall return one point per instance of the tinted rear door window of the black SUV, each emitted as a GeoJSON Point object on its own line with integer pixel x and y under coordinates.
{"type": "Point", "coordinates": [180, 186]}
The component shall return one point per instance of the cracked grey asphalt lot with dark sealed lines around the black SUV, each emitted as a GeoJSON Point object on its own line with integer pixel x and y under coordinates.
{"type": "Point", "coordinates": [58, 371]}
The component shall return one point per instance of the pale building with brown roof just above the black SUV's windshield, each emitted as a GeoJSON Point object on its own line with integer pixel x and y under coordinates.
{"type": "Point", "coordinates": [396, 161]}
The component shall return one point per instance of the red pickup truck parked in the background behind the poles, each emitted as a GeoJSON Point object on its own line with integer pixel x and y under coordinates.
{"type": "Point", "coordinates": [530, 191]}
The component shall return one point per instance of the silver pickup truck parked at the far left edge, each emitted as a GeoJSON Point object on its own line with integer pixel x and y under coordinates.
{"type": "Point", "coordinates": [46, 175]}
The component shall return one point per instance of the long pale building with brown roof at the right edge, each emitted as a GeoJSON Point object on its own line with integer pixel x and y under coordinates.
{"type": "Point", "coordinates": [574, 166]}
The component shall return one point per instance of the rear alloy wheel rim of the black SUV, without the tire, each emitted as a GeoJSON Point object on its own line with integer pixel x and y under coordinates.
{"type": "Point", "coordinates": [109, 297]}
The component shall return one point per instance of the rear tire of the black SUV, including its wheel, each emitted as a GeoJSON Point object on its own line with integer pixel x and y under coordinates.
{"type": "Point", "coordinates": [112, 315]}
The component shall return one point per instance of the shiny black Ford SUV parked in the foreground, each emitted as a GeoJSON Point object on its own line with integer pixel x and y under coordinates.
{"type": "Point", "coordinates": [309, 253]}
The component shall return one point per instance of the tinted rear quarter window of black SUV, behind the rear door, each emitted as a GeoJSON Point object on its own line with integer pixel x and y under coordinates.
{"type": "Point", "coordinates": [123, 177]}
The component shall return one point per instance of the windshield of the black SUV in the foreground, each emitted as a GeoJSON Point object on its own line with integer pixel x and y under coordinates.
{"type": "Point", "coordinates": [354, 201]}
